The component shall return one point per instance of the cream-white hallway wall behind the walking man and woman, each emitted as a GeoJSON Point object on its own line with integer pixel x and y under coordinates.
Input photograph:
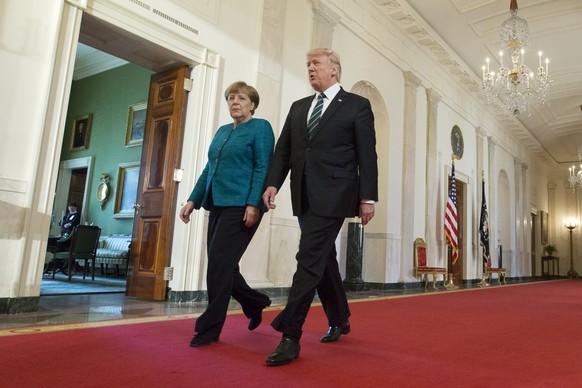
{"type": "Point", "coordinates": [378, 44]}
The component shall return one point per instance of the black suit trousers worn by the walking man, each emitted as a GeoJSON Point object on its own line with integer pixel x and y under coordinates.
{"type": "Point", "coordinates": [317, 270]}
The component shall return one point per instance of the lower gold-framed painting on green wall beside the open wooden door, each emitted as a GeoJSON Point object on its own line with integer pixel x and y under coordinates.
{"type": "Point", "coordinates": [126, 194]}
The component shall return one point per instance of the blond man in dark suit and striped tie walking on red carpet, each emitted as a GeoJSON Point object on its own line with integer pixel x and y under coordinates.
{"type": "Point", "coordinates": [328, 143]}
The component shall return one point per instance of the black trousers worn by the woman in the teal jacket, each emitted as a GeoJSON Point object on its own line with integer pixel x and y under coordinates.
{"type": "Point", "coordinates": [228, 238]}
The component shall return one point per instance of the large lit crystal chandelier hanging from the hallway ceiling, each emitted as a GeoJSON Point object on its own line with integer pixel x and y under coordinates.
{"type": "Point", "coordinates": [516, 86]}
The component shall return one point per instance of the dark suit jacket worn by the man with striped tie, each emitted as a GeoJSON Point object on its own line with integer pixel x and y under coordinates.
{"type": "Point", "coordinates": [339, 162]}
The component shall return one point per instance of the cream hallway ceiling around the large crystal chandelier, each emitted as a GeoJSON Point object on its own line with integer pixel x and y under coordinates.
{"type": "Point", "coordinates": [470, 28]}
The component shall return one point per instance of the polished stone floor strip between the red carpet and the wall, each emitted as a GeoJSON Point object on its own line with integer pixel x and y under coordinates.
{"type": "Point", "coordinates": [84, 308]}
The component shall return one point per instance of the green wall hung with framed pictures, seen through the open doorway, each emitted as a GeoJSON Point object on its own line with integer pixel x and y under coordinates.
{"type": "Point", "coordinates": [107, 96]}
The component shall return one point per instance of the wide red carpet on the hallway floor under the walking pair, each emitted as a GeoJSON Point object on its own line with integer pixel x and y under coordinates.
{"type": "Point", "coordinates": [516, 336]}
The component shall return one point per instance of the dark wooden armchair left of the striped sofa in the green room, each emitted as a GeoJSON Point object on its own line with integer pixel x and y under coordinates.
{"type": "Point", "coordinates": [83, 246]}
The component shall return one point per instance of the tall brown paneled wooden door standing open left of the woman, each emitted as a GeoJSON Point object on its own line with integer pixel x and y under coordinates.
{"type": "Point", "coordinates": [155, 206]}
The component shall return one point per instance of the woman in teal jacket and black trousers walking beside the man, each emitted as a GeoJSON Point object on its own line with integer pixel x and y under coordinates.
{"type": "Point", "coordinates": [230, 187]}
